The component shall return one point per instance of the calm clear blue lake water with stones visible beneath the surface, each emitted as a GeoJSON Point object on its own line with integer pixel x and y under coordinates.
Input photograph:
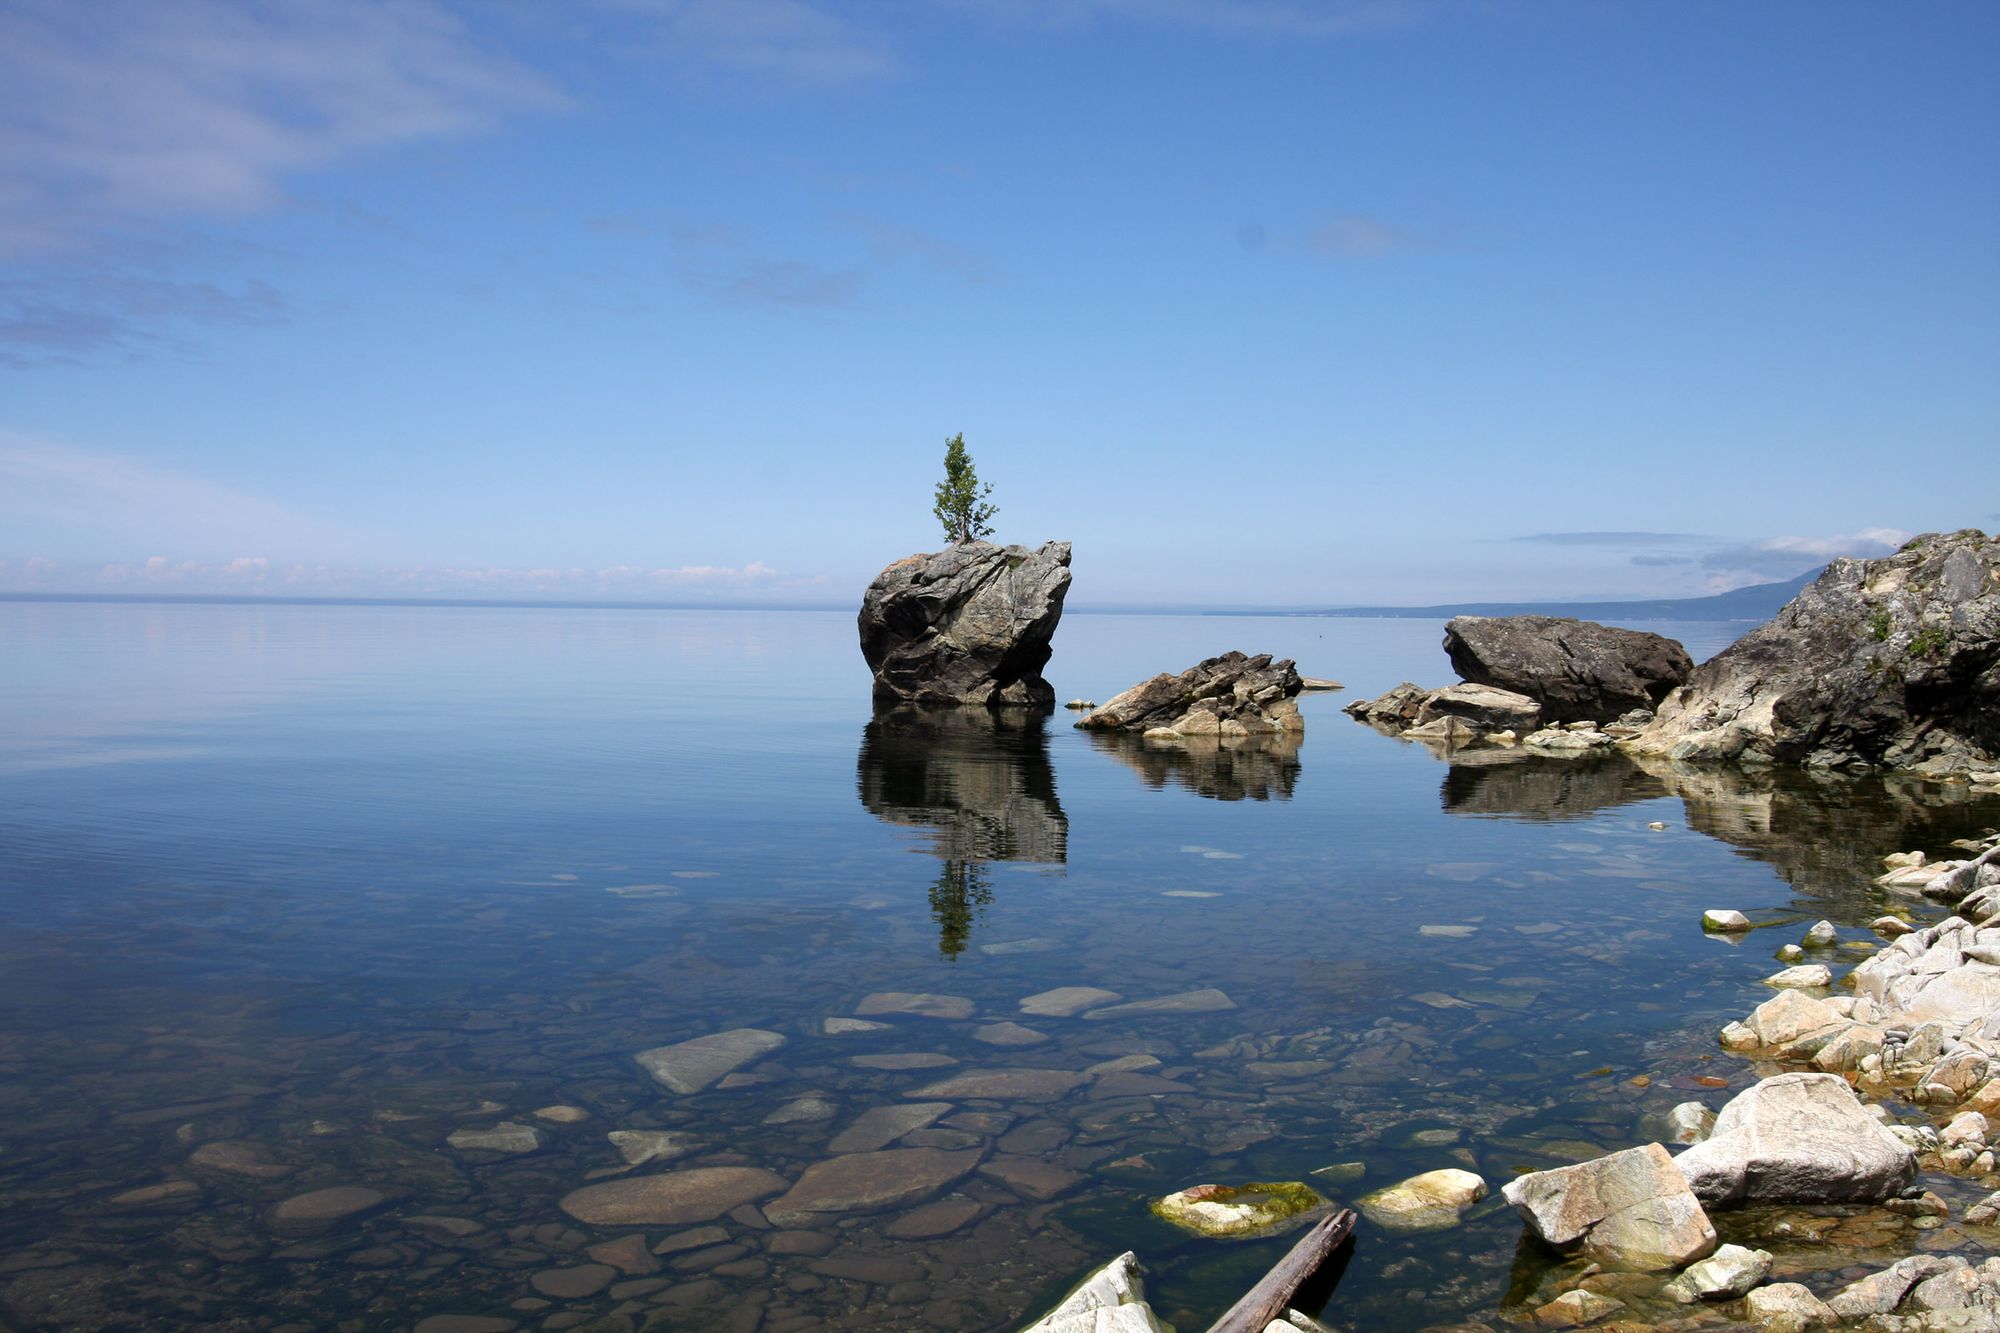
{"type": "Point", "coordinates": [335, 884]}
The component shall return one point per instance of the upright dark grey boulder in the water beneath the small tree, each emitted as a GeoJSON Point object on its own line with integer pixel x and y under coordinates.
{"type": "Point", "coordinates": [967, 625]}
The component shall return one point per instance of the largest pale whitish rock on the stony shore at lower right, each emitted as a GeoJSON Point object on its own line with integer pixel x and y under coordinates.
{"type": "Point", "coordinates": [1797, 1138]}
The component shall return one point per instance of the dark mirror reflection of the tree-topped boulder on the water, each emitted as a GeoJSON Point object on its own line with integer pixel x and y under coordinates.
{"type": "Point", "coordinates": [981, 782]}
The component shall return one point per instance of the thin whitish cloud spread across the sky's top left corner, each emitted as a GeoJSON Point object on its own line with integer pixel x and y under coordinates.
{"type": "Point", "coordinates": [131, 113]}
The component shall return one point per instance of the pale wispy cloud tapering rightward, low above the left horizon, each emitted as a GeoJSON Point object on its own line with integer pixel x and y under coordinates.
{"type": "Point", "coordinates": [101, 497]}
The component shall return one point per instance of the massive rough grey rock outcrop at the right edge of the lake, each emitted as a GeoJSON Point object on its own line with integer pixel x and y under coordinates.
{"type": "Point", "coordinates": [1887, 663]}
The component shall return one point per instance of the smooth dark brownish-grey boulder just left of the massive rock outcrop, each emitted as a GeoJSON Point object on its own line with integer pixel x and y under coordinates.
{"type": "Point", "coordinates": [1577, 670]}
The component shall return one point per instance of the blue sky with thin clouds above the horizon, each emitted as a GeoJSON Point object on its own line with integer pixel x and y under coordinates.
{"type": "Point", "coordinates": [1253, 301]}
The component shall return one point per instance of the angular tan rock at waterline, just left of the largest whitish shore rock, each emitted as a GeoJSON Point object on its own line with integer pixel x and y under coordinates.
{"type": "Point", "coordinates": [1629, 1210]}
